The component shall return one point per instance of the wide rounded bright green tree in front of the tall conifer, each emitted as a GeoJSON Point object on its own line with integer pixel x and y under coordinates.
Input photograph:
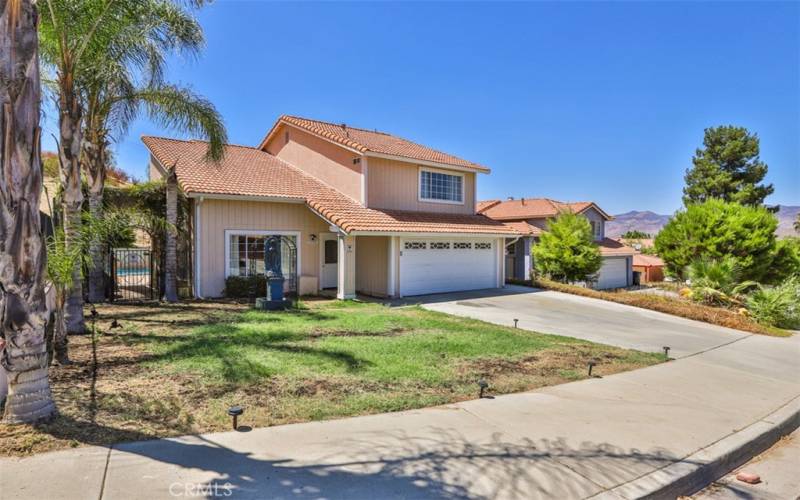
{"type": "Point", "coordinates": [715, 229]}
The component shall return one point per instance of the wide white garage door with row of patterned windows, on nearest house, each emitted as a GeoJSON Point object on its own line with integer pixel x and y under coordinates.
{"type": "Point", "coordinates": [447, 265]}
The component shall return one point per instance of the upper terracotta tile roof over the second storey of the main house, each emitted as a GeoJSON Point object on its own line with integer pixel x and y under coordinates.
{"type": "Point", "coordinates": [367, 141]}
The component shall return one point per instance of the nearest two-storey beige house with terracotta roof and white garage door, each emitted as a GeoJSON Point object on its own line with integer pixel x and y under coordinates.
{"type": "Point", "coordinates": [369, 212]}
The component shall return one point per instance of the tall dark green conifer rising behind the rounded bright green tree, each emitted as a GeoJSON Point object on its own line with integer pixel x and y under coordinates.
{"type": "Point", "coordinates": [728, 168]}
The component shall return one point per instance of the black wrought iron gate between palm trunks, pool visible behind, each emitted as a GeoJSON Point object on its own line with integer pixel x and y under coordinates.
{"type": "Point", "coordinates": [134, 275]}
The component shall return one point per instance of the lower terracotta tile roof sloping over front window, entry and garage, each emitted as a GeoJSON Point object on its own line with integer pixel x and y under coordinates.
{"type": "Point", "coordinates": [249, 171]}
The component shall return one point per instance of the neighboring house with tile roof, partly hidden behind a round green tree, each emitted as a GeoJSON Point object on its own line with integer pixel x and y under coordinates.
{"type": "Point", "coordinates": [530, 217]}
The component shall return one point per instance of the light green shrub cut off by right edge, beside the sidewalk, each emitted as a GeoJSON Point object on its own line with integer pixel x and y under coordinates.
{"type": "Point", "coordinates": [777, 306]}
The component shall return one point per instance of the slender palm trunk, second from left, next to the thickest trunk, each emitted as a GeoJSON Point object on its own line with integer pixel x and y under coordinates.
{"type": "Point", "coordinates": [69, 149]}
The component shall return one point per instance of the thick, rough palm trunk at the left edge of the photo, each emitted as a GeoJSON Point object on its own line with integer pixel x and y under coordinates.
{"type": "Point", "coordinates": [23, 310]}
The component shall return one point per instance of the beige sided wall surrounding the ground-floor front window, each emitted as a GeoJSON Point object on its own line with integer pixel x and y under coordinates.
{"type": "Point", "coordinates": [216, 216]}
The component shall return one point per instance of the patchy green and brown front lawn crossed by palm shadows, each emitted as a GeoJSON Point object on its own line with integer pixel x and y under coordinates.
{"type": "Point", "coordinates": [175, 369]}
